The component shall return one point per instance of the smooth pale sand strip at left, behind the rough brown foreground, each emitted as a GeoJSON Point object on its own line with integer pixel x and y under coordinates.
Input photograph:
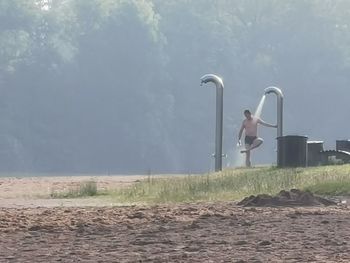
{"type": "Point", "coordinates": [35, 192]}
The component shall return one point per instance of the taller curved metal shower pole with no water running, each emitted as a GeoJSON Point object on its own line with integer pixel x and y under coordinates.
{"type": "Point", "coordinates": [219, 116]}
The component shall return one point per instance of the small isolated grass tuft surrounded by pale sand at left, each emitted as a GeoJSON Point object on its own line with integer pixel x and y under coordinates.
{"type": "Point", "coordinates": [85, 189]}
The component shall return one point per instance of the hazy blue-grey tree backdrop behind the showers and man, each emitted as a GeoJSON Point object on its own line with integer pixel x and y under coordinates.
{"type": "Point", "coordinates": [112, 86]}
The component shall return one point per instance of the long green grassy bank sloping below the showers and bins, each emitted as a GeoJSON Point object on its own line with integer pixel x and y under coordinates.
{"type": "Point", "coordinates": [234, 184]}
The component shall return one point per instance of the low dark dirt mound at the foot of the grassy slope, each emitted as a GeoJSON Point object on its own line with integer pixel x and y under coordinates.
{"type": "Point", "coordinates": [293, 197]}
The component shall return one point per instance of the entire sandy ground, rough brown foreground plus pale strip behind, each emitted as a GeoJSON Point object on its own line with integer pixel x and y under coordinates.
{"type": "Point", "coordinates": [32, 230]}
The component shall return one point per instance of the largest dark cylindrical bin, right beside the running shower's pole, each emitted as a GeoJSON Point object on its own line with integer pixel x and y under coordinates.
{"type": "Point", "coordinates": [292, 151]}
